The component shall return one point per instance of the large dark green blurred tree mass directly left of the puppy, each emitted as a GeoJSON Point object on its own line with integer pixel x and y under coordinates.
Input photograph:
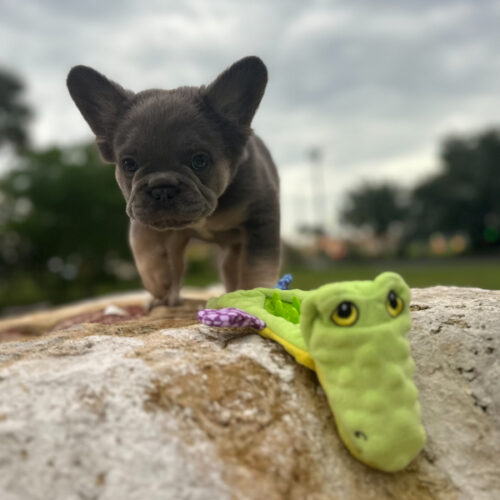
{"type": "Point", "coordinates": [63, 228]}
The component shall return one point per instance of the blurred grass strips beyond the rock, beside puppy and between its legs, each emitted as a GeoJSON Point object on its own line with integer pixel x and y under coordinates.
{"type": "Point", "coordinates": [471, 272]}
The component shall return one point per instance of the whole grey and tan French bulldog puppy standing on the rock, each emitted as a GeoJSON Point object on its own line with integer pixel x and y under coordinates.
{"type": "Point", "coordinates": [189, 166]}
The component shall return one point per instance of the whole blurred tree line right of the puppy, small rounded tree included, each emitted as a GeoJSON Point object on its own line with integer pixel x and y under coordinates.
{"type": "Point", "coordinates": [463, 198]}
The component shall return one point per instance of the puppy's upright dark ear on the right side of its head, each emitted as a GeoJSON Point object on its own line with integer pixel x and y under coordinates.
{"type": "Point", "coordinates": [236, 93]}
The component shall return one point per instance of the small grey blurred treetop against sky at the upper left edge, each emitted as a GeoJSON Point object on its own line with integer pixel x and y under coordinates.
{"type": "Point", "coordinates": [14, 114]}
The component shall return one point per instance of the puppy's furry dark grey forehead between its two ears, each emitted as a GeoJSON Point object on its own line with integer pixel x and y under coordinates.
{"type": "Point", "coordinates": [160, 121]}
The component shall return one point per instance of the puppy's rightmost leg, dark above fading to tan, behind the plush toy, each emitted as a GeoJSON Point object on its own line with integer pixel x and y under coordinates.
{"type": "Point", "coordinates": [260, 259]}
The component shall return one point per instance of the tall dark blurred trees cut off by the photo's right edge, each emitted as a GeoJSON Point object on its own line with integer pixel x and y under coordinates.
{"type": "Point", "coordinates": [465, 196]}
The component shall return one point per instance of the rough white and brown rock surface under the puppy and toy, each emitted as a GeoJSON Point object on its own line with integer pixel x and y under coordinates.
{"type": "Point", "coordinates": [134, 406]}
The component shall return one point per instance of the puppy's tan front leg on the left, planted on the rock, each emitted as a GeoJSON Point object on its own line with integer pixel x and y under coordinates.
{"type": "Point", "coordinates": [159, 257]}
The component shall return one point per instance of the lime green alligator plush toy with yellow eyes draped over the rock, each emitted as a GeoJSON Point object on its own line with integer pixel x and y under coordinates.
{"type": "Point", "coordinates": [353, 334]}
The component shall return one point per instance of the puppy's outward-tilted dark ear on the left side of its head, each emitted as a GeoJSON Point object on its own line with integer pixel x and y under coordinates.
{"type": "Point", "coordinates": [101, 102]}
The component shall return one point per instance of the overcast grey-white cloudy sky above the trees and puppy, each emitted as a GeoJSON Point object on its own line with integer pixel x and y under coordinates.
{"type": "Point", "coordinates": [375, 83]}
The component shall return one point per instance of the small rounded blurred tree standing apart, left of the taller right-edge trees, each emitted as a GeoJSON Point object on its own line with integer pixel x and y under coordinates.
{"type": "Point", "coordinates": [375, 207]}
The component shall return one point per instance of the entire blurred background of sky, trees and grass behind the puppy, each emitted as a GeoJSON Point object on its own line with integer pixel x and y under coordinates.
{"type": "Point", "coordinates": [382, 115]}
